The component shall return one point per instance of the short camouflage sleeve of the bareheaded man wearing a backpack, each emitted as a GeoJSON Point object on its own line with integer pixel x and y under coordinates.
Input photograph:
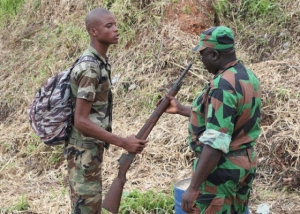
{"type": "Point", "coordinates": [87, 80]}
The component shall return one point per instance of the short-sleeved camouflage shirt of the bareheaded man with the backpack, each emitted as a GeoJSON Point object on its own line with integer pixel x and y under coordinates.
{"type": "Point", "coordinates": [92, 82]}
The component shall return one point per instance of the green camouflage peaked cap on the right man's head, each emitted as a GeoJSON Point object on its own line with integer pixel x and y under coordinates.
{"type": "Point", "coordinates": [218, 38]}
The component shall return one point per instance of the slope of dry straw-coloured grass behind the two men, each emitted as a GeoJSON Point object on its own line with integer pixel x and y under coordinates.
{"type": "Point", "coordinates": [46, 37]}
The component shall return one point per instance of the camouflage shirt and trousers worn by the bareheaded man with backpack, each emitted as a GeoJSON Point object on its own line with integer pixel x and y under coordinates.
{"type": "Point", "coordinates": [92, 82]}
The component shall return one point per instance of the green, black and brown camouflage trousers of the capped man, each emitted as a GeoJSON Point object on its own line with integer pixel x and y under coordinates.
{"type": "Point", "coordinates": [227, 189]}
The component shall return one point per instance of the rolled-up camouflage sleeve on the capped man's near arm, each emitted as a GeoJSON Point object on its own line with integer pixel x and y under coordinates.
{"type": "Point", "coordinates": [220, 120]}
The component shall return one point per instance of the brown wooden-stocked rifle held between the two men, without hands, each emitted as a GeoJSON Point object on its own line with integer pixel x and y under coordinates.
{"type": "Point", "coordinates": [113, 197]}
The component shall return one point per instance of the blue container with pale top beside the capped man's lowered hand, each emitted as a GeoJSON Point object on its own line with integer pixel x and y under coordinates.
{"type": "Point", "coordinates": [179, 188]}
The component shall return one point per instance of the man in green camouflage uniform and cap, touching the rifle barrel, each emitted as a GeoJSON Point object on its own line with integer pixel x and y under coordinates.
{"type": "Point", "coordinates": [224, 122]}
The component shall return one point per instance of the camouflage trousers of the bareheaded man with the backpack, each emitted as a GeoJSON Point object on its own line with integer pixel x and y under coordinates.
{"type": "Point", "coordinates": [85, 179]}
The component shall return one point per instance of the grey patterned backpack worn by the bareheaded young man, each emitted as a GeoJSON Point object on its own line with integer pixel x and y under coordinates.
{"type": "Point", "coordinates": [51, 111]}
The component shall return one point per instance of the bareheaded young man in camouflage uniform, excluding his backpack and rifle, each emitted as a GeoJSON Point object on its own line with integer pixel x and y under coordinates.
{"type": "Point", "coordinates": [91, 132]}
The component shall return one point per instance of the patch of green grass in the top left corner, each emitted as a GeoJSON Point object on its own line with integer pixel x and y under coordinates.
{"type": "Point", "coordinates": [8, 9]}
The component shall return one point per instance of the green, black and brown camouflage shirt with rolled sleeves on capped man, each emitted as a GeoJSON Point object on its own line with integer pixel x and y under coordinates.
{"type": "Point", "coordinates": [226, 114]}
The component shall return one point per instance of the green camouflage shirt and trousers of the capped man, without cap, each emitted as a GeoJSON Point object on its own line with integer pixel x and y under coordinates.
{"type": "Point", "coordinates": [226, 116]}
